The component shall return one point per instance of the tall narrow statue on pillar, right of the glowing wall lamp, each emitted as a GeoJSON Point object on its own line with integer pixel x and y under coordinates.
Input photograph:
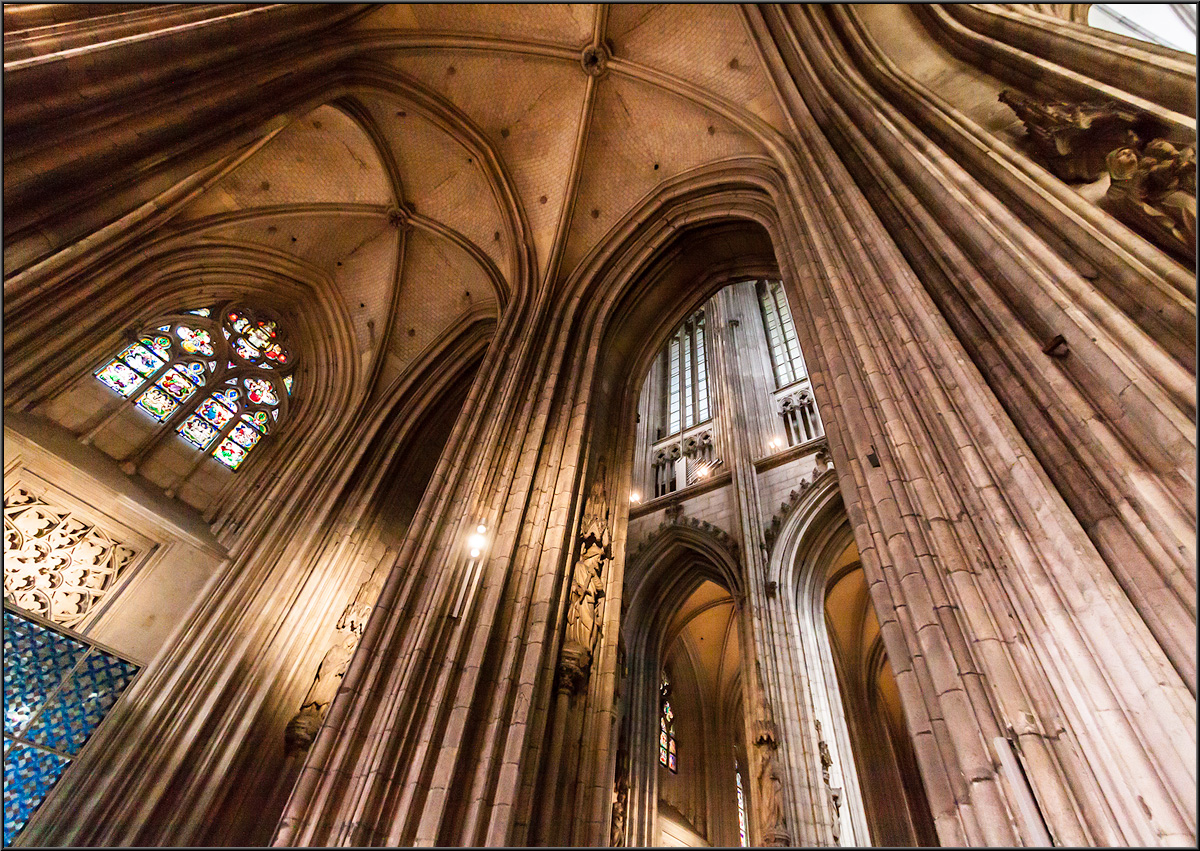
{"type": "Point", "coordinates": [587, 578]}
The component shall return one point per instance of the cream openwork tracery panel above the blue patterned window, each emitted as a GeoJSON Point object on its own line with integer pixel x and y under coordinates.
{"type": "Point", "coordinates": [57, 565]}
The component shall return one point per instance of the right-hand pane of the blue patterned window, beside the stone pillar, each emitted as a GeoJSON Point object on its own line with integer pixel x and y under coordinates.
{"type": "Point", "coordinates": [83, 702]}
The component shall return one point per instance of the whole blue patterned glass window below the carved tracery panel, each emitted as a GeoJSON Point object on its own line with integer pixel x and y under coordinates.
{"type": "Point", "coordinates": [58, 688]}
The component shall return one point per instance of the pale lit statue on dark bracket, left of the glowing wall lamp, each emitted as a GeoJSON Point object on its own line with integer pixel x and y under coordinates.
{"type": "Point", "coordinates": [302, 730]}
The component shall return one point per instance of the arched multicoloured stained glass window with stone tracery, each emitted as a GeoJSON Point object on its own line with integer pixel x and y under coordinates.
{"type": "Point", "coordinates": [220, 377]}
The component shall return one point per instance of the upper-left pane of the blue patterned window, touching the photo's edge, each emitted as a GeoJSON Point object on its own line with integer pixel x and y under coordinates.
{"type": "Point", "coordinates": [35, 662]}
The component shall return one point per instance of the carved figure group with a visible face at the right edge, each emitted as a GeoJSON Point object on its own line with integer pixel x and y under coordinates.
{"type": "Point", "coordinates": [1155, 191]}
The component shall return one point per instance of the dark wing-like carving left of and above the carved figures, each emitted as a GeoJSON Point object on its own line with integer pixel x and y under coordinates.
{"type": "Point", "coordinates": [1075, 140]}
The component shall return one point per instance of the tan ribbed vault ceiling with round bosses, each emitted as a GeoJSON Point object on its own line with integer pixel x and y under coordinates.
{"type": "Point", "coordinates": [683, 89]}
